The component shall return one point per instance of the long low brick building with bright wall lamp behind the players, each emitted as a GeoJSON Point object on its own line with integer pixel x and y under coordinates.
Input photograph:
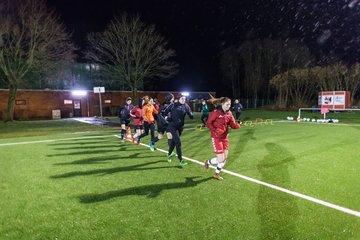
{"type": "Point", "coordinates": [39, 104]}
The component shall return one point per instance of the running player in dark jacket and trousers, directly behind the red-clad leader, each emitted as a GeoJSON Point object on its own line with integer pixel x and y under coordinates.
{"type": "Point", "coordinates": [176, 126]}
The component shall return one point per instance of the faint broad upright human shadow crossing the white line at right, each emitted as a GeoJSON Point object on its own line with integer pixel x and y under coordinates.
{"type": "Point", "coordinates": [278, 211]}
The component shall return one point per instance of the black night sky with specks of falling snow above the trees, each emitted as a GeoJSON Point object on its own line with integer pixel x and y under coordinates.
{"type": "Point", "coordinates": [199, 29]}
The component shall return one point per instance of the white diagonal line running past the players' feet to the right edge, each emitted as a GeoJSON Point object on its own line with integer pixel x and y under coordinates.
{"type": "Point", "coordinates": [311, 199]}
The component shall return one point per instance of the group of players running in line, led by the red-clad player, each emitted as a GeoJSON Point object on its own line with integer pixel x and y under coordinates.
{"type": "Point", "coordinates": [170, 117]}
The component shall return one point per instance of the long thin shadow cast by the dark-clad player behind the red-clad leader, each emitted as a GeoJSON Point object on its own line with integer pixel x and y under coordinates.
{"type": "Point", "coordinates": [138, 167]}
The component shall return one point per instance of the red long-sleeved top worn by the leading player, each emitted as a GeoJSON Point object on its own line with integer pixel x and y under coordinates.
{"type": "Point", "coordinates": [219, 121]}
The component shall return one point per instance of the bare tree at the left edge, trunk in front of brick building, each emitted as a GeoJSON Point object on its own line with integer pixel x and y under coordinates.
{"type": "Point", "coordinates": [31, 38]}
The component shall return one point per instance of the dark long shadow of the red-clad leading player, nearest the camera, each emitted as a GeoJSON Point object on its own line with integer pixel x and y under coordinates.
{"type": "Point", "coordinates": [149, 191]}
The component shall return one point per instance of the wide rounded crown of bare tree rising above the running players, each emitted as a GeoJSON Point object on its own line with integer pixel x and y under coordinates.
{"type": "Point", "coordinates": [132, 51]}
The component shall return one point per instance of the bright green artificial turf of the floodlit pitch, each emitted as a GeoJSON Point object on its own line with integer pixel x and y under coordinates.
{"type": "Point", "coordinates": [77, 181]}
